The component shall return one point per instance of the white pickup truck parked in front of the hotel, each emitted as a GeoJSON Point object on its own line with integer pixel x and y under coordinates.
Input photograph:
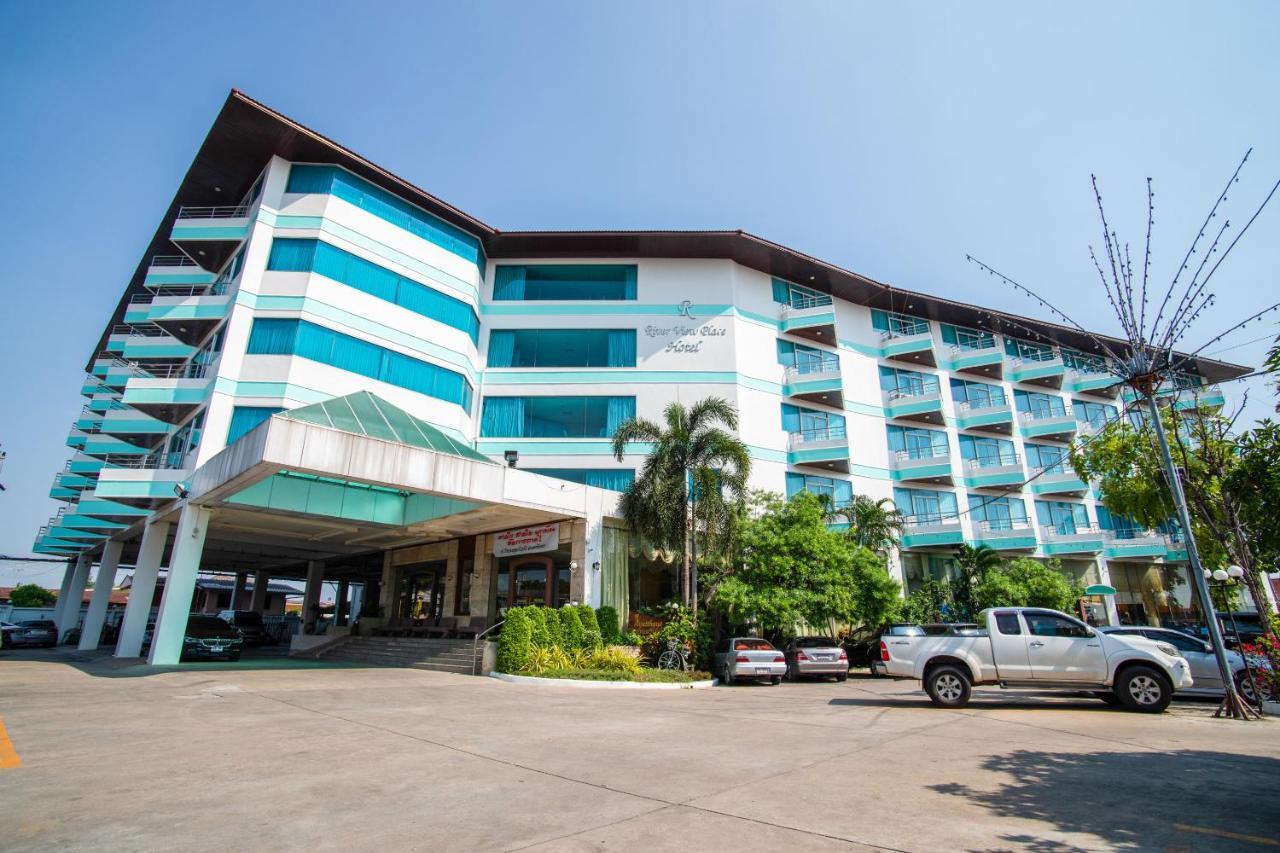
{"type": "Point", "coordinates": [1027, 647]}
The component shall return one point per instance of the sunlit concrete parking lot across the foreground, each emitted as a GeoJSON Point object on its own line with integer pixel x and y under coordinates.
{"type": "Point", "coordinates": [280, 755]}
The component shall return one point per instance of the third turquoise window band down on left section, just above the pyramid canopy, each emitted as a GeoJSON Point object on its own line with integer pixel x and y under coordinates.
{"type": "Point", "coordinates": [272, 336]}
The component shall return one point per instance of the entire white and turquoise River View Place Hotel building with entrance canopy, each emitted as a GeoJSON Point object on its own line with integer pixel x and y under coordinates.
{"type": "Point", "coordinates": [321, 372]}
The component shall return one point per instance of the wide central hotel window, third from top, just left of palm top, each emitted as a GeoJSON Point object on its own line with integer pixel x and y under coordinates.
{"type": "Point", "coordinates": [555, 417]}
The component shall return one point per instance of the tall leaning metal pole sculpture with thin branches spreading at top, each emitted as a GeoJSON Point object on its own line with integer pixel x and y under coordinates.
{"type": "Point", "coordinates": [1149, 358]}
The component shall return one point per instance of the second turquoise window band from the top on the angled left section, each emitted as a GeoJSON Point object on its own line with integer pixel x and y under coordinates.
{"type": "Point", "coordinates": [345, 268]}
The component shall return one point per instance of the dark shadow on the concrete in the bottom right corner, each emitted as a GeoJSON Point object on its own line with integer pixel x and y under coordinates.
{"type": "Point", "coordinates": [1135, 801]}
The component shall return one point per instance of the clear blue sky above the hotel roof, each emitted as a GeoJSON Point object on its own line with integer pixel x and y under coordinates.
{"type": "Point", "coordinates": [890, 139]}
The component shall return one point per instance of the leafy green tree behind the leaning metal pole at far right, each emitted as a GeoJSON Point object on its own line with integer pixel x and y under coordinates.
{"type": "Point", "coordinates": [1231, 483]}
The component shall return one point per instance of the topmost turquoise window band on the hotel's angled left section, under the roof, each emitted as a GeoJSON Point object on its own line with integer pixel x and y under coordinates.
{"type": "Point", "coordinates": [339, 183]}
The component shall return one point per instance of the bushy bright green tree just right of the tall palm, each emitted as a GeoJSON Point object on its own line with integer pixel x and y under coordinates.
{"type": "Point", "coordinates": [796, 571]}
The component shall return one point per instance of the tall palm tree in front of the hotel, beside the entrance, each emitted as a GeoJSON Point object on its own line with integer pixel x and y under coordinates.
{"type": "Point", "coordinates": [694, 464]}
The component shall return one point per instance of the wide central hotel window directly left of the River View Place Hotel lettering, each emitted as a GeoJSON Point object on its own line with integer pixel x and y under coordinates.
{"type": "Point", "coordinates": [563, 349]}
